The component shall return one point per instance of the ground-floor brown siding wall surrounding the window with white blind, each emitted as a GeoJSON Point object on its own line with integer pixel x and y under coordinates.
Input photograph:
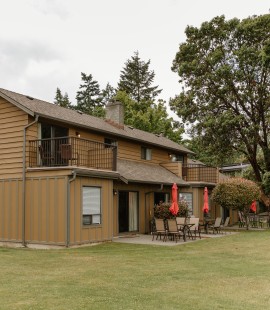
{"type": "Point", "coordinates": [79, 233]}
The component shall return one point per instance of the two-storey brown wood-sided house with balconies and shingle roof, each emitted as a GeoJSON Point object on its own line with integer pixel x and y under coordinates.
{"type": "Point", "coordinates": [68, 178]}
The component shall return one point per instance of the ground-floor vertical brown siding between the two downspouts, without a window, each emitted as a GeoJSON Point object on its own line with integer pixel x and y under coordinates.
{"type": "Point", "coordinates": [45, 214]}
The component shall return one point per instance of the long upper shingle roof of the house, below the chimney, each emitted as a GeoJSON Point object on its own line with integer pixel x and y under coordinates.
{"type": "Point", "coordinates": [45, 109]}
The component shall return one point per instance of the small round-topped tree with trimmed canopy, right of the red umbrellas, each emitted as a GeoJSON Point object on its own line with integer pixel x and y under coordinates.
{"type": "Point", "coordinates": [237, 194]}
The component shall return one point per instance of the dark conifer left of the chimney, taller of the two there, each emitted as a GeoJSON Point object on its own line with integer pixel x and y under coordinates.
{"type": "Point", "coordinates": [89, 99]}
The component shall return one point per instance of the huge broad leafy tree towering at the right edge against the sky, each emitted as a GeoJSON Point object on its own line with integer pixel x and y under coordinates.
{"type": "Point", "coordinates": [224, 68]}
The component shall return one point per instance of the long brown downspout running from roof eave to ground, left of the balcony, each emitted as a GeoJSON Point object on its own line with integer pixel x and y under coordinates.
{"type": "Point", "coordinates": [24, 179]}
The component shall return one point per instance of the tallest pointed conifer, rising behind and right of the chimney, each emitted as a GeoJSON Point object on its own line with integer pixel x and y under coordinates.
{"type": "Point", "coordinates": [136, 80]}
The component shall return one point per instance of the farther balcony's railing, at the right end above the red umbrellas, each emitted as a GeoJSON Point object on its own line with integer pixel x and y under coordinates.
{"type": "Point", "coordinates": [199, 173]}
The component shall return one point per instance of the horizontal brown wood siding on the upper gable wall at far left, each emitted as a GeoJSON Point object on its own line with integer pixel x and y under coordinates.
{"type": "Point", "coordinates": [12, 122]}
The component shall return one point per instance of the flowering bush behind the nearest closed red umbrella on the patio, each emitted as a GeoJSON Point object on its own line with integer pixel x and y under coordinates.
{"type": "Point", "coordinates": [161, 211]}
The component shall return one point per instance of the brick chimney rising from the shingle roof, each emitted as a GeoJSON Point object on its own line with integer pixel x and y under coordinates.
{"type": "Point", "coordinates": [115, 114]}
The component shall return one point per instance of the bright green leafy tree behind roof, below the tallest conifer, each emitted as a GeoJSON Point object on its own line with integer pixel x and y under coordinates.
{"type": "Point", "coordinates": [154, 118]}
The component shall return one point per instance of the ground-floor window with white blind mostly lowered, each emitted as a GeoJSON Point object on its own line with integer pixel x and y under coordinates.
{"type": "Point", "coordinates": [91, 205]}
